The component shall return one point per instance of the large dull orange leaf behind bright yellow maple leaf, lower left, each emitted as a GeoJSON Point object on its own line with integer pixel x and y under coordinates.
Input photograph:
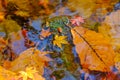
{"type": "Point", "coordinates": [30, 58]}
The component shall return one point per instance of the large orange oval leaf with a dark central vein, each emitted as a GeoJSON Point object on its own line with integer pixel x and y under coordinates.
{"type": "Point", "coordinates": [94, 50]}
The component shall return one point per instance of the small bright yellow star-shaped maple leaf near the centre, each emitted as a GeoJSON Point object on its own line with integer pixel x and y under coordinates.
{"type": "Point", "coordinates": [59, 40]}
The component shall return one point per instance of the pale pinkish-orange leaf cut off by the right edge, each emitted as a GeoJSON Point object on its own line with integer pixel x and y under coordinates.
{"type": "Point", "coordinates": [113, 20]}
